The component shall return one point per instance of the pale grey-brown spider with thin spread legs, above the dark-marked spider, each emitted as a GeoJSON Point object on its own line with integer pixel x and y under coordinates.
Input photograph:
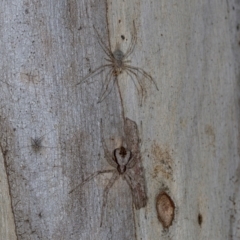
{"type": "Point", "coordinates": [118, 64]}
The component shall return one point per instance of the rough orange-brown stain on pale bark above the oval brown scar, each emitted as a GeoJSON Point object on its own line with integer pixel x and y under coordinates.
{"type": "Point", "coordinates": [163, 161]}
